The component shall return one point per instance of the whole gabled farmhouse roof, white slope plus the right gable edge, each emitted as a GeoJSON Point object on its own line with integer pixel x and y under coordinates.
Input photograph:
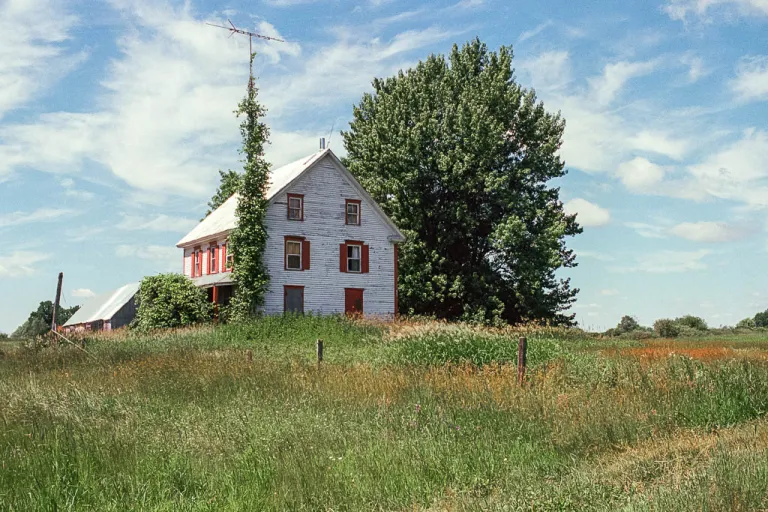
{"type": "Point", "coordinates": [222, 219]}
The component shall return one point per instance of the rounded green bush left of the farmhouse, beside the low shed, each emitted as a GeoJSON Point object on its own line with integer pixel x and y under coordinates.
{"type": "Point", "coordinates": [170, 300]}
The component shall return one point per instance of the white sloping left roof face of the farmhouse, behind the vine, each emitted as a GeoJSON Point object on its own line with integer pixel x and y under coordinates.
{"type": "Point", "coordinates": [223, 218]}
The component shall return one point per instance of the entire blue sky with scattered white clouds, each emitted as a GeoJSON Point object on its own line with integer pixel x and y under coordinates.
{"type": "Point", "coordinates": [116, 115]}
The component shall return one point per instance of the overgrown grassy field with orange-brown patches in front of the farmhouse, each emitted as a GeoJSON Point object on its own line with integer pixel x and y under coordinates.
{"type": "Point", "coordinates": [400, 417]}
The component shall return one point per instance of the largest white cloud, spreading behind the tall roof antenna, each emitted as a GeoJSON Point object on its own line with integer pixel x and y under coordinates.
{"type": "Point", "coordinates": [171, 91]}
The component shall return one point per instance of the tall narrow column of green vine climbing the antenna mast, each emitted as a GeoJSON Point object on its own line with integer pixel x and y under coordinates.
{"type": "Point", "coordinates": [249, 238]}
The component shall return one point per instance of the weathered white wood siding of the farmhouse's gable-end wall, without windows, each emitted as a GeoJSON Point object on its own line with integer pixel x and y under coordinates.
{"type": "Point", "coordinates": [325, 190]}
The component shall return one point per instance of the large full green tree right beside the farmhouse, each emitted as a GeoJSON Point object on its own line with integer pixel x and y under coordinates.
{"type": "Point", "coordinates": [459, 155]}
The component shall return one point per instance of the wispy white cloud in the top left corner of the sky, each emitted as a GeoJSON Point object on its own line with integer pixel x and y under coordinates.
{"type": "Point", "coordinates": [33, 54]}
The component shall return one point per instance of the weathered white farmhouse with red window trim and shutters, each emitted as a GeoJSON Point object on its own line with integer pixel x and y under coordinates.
{"type": "Point", "coordinates": [330, 247]}
